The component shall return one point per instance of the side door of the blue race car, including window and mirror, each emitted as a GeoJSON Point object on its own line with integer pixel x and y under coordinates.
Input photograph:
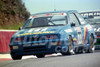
{"type": "Point", "coordinates": [78, 34]}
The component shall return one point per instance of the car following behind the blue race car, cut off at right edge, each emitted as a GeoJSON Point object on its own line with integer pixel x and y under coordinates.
{"type": "Point", "coordinates": [95, 23]}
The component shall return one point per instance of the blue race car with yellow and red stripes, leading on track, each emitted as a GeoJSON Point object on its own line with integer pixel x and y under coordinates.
{"type": "Point", "coordinates": [64, 32]}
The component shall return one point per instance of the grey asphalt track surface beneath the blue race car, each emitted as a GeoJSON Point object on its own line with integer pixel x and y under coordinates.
{"type": "Point", "coordinates": [78, 60]}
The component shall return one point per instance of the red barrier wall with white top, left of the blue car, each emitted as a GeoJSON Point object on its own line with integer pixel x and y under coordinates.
{"type": "Point", "coordinates": [5, 36]}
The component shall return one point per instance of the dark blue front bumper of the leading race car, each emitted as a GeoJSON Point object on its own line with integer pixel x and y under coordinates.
{"type": "Point", "coordinates": [38, 49]}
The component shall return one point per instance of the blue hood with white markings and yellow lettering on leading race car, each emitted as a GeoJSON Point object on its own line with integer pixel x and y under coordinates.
{"type": "Point", "coordinates": [41, 30]}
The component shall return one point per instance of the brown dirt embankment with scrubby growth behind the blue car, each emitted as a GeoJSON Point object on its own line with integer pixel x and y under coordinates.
{"type": "Point", "coordinates": [12, 12]}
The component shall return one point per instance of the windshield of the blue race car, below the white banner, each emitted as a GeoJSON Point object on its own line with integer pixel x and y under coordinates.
{"type": "Point", "coordinates": [55, 20]}
